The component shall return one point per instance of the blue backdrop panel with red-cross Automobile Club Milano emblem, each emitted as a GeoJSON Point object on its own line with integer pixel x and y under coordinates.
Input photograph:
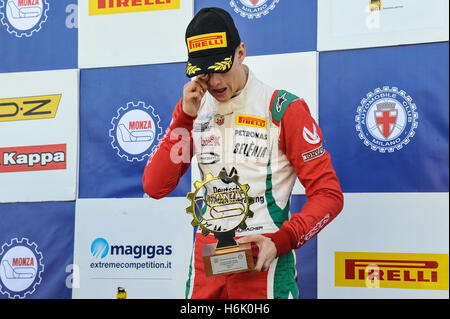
{"type": "Point", "coordinates": [406, 76]}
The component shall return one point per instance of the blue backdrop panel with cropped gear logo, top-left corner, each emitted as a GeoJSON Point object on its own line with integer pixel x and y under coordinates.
{"type": "Point", "coordinates": [45, 40]}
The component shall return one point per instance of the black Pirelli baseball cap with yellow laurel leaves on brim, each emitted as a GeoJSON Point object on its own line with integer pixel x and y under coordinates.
{"type": "Point", "coordinates": [211, 40]}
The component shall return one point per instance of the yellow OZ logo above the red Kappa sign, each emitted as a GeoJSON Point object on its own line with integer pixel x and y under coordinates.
{"type": "Point", "coordinates": [29, 108]}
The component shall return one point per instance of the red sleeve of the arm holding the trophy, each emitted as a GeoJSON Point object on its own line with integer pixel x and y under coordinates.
{"type": "Point", "coordinates": [301, 141]}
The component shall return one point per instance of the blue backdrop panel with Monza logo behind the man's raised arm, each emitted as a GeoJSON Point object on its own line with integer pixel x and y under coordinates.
{"type": "Point", "coordinates": [123, 113]}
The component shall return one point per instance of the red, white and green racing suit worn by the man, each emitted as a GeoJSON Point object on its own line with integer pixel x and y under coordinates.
{"type": "Point", "coordinates": [268, 138]}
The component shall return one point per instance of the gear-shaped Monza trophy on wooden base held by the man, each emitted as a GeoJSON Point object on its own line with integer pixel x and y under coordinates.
{"type": "Point", "coordinates": [224, 210]}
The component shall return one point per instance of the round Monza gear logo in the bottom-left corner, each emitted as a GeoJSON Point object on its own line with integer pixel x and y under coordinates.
{"type": "Point", "coordinates": [21, 268]}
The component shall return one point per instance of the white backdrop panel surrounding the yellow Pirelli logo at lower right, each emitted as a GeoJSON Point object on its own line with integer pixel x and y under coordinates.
{"type": "Point", "coordinates": [385, 223]}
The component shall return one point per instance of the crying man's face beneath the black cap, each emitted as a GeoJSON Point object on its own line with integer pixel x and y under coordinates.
{"type": "Point", "coordinates": [224, 85]}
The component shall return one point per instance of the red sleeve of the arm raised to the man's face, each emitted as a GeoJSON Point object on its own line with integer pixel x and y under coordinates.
{"type": "Point", "coordinates": [172, 157]}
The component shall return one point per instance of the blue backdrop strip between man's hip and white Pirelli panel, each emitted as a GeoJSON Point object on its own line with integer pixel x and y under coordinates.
{"type": "Point", "coordinates": [306, 258]}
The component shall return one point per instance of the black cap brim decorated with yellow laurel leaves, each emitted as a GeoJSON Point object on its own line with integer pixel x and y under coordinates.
{"type": "Point", "coordinates": [219, 63]}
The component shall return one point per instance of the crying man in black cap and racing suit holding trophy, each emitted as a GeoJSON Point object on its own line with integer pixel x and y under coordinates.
{"type": "Point", "coordinates": [230, 120]}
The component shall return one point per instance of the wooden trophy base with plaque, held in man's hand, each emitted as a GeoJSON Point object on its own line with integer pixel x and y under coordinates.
{"type": "Point", "coordinates": [227, 260]}
